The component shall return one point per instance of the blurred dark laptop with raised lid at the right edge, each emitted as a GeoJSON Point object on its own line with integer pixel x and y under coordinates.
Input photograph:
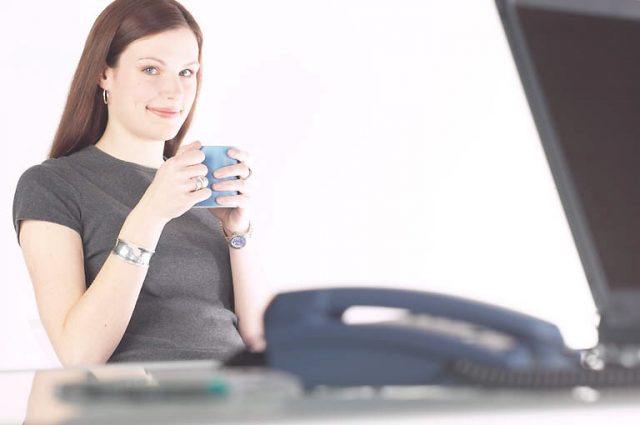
{"type": "Point", "coordinates": [579, 62]}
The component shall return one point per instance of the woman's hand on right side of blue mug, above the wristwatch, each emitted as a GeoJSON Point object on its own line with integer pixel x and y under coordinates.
{"type": "Point", "coordinates": [235, 217]}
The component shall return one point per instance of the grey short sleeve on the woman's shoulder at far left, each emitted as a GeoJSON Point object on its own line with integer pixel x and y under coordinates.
{"type": "Point", "coordinates": [42, 194]}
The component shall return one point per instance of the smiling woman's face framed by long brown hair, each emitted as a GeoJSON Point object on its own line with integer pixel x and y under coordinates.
{"type": "Point", "coordinates": [153, 86]}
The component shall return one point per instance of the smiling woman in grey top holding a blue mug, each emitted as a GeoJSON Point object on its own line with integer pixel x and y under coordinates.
{"type": "Point", "coordinates": [123, 269]}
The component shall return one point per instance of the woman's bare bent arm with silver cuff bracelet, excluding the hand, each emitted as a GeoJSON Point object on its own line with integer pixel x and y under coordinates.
{"type": "Point", "coordinates": [84, 325]}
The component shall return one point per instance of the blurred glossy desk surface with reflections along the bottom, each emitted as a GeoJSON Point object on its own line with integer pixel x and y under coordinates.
{"type": "Point", "coordinates": [201, 392]}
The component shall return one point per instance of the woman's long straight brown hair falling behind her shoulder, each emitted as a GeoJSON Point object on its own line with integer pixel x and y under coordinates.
{"type": "Point", "coordinates": [84, 119]}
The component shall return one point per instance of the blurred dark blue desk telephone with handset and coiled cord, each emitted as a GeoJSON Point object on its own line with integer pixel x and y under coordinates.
{"type": "Point", "coordinates": [442, 340]}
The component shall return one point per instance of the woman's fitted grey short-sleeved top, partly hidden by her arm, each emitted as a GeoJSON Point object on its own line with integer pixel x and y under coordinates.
{"type": "Point", "coordinates": [185, 307]}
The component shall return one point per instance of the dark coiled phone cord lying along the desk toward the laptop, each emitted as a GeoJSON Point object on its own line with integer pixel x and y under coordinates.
{"type": "Point", "coordinates": [488, 376]}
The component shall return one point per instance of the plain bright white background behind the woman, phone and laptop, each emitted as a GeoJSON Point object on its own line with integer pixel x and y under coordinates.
{"type": "Point", "coordinates": [393, 145]}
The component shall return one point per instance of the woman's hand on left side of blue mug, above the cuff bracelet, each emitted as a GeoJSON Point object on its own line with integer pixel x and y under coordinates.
{"type": "Point", "coordinates": [172, 191]}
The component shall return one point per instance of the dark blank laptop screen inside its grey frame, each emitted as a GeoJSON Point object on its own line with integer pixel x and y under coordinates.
{"type": "Point", "coordinates": [589, 71]}
